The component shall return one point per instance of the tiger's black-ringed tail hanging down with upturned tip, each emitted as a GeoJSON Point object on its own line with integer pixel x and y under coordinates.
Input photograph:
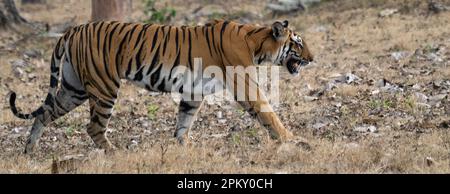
{"type": "Point", "coordinates": [57, 56]}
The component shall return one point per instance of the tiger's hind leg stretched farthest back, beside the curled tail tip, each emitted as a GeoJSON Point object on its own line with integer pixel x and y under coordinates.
{"type": "Point", "coordinates": [70, 95]}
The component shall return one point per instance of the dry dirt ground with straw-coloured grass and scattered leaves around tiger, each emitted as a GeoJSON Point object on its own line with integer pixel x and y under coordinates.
{"type": "Point", "coordinates": [376, 99]}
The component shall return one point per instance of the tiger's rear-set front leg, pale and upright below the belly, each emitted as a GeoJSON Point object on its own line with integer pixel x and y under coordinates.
{"type": "Point", "coordinates": [187, 114]}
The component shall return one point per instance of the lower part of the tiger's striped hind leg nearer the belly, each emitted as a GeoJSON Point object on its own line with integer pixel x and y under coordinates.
{"type": "Point", "coordinates": [101, 111]}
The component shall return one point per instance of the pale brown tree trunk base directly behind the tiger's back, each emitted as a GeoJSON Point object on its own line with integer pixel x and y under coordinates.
{"type": "Point", "coordinates": [111, 9]}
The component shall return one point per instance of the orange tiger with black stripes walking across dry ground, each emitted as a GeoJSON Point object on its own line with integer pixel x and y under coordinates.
{"type": "Point", "coordinates": [90, 62]}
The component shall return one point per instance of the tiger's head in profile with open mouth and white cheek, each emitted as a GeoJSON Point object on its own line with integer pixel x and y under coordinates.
{"type": "Point", "coordinates": [286, 48]}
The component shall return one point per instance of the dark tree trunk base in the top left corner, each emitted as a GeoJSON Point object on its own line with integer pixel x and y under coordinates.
{"type": "Point", "coordinates": [9, 16]}
